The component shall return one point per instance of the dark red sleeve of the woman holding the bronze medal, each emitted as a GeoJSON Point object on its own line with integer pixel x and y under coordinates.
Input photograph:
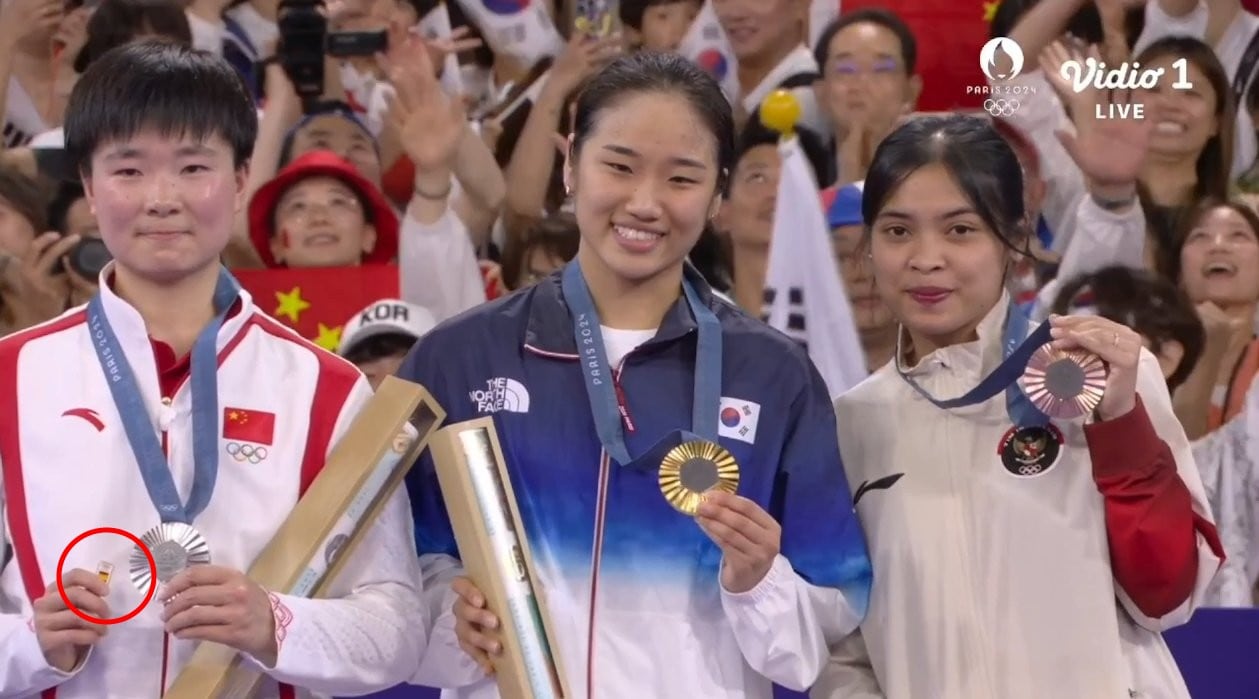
{"type": "Point", "coordinates": [1150, 518]}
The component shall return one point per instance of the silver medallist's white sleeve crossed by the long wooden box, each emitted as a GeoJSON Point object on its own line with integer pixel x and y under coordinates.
{"type": "Point", "coordinates": [368, 635]}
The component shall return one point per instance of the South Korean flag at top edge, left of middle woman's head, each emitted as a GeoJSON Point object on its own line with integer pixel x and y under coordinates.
{"type": "Point", "coordinates": [522, 30]}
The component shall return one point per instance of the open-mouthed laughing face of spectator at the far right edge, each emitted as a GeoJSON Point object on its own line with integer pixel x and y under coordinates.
{"type": "Point", "coordinates": [1221, 260]}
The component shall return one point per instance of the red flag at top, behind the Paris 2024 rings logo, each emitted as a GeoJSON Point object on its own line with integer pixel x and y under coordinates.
{"type": "Point", "coordinates": [947, 67]}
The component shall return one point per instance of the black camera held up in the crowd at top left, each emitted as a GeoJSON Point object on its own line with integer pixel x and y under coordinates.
{"type": "Point", "coordinates": [305, 42]}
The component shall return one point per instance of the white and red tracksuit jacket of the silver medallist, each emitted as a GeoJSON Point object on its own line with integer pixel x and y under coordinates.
{"type": "Point", "coordinates": [67, 468]}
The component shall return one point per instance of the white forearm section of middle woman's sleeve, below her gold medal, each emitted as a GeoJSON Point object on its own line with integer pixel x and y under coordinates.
{"type": "Point", "coordinates": [785, 627]}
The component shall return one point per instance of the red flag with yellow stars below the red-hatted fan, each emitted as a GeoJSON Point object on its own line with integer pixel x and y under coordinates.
{"type": "Point", "coordinates": [318, 303]}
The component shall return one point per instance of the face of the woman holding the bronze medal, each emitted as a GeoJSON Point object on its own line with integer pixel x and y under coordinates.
{"type": "Point", "coordinates": [939, 266]}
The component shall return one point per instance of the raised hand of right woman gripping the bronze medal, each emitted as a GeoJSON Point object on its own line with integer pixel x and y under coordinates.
{"type": "Point", "coordinates": [1119, 346]}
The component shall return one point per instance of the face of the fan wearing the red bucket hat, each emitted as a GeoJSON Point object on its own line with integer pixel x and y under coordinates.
{"type": "Point", "coordinates": [320, 222]}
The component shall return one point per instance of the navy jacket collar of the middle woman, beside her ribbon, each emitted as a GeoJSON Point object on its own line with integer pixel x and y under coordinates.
{"type": "Point", "coordinates": [551, 323]}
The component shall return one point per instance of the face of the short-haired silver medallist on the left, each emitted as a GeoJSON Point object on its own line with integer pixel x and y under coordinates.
{"type": "Point", "coordinates": [166, 206]}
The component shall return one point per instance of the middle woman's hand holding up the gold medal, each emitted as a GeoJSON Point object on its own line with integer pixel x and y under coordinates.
{"type": "Point", "coordinates": [748, 537]}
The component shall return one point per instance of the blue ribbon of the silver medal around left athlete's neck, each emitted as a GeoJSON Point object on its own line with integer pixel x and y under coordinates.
{"type": "Point", "coordinates": [144, 441]}
